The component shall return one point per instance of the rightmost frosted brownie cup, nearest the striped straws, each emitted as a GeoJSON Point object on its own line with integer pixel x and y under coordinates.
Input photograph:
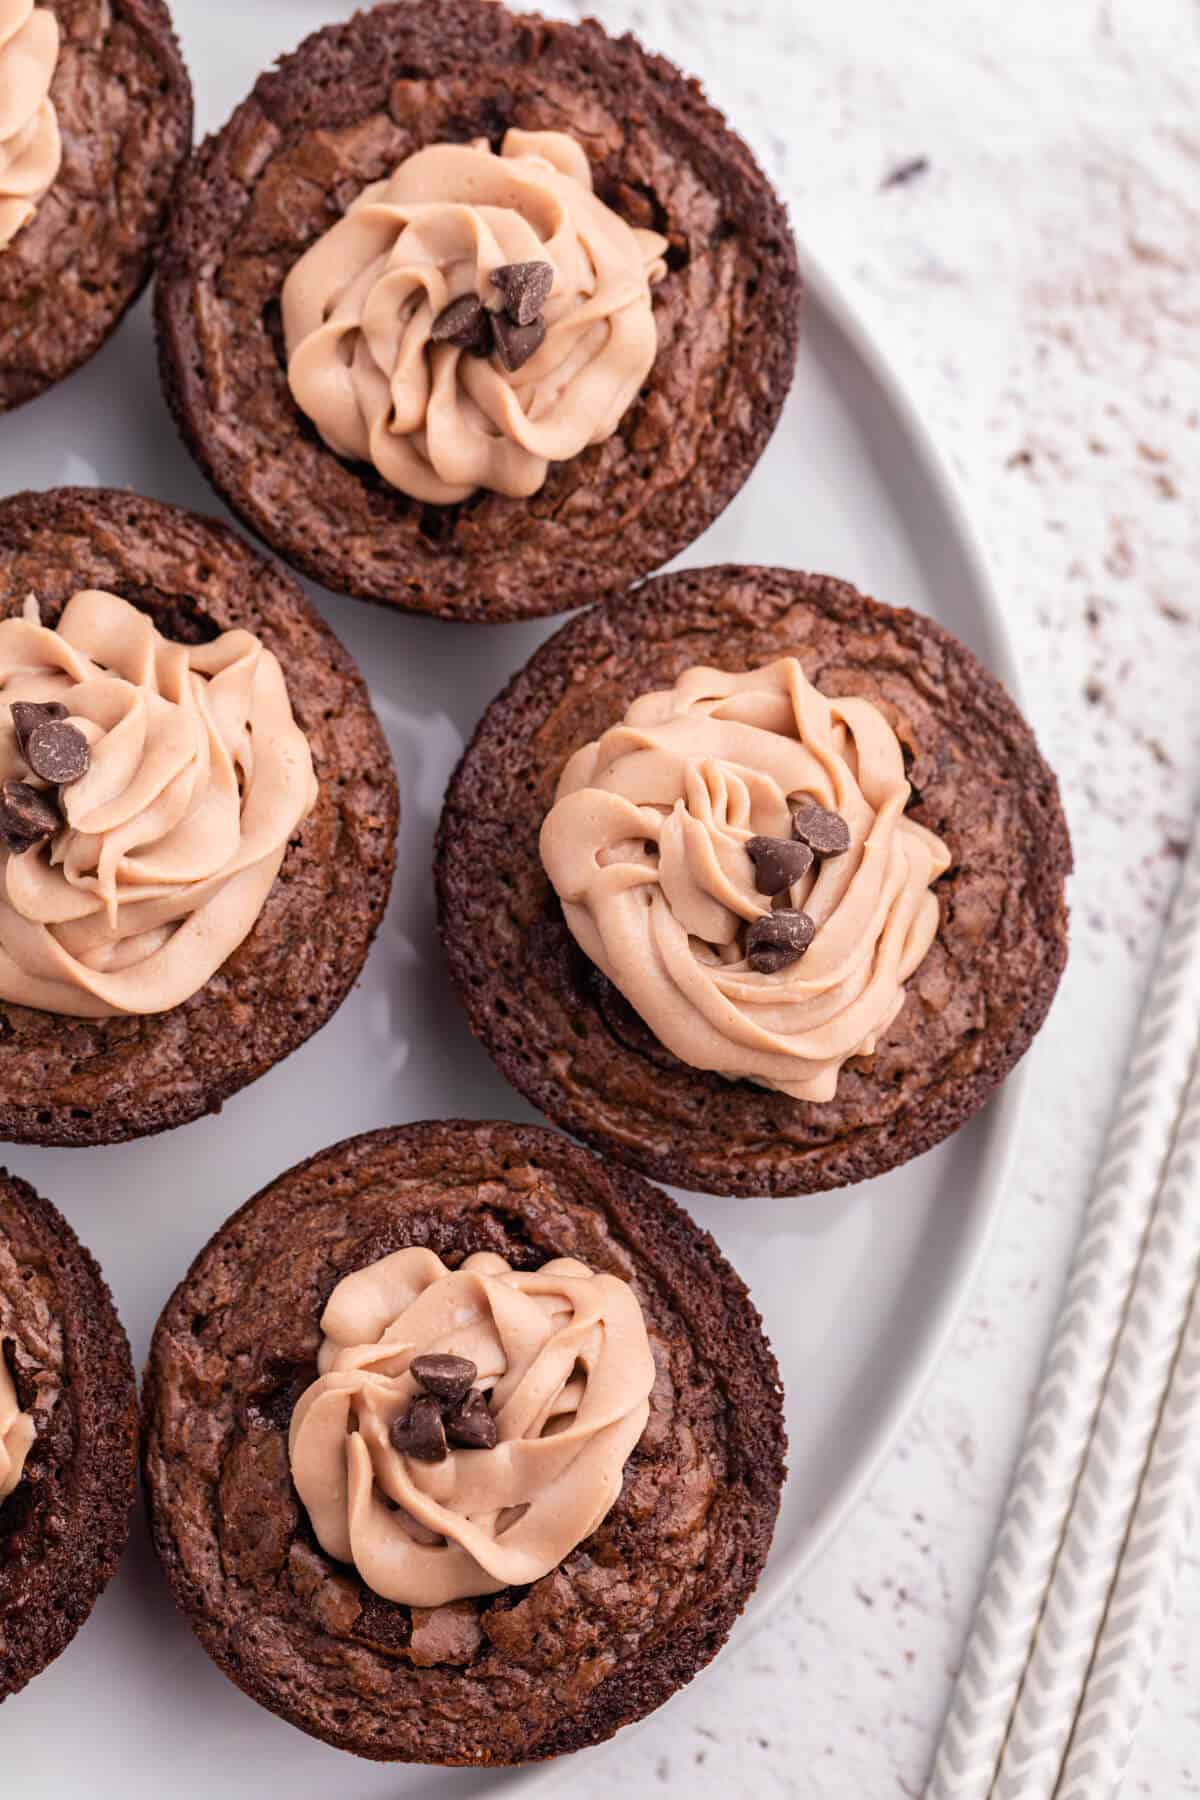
{"type": "Point", "coordinates": [753, 883]}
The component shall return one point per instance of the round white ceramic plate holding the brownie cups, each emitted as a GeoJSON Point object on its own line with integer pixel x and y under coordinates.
{"type": "Point", "coordinates": [857, 1290]}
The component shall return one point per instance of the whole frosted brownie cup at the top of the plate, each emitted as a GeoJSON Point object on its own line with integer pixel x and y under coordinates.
{"type": "Point", "coordinates": [350, 109]}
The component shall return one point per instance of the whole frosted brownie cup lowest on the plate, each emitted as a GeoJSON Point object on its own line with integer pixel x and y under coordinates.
{"type": "Point", "coordinates": [461, 1446]}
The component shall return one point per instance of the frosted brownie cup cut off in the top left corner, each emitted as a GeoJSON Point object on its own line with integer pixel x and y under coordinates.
{"type": "Point", "coordinates": [102, 121]}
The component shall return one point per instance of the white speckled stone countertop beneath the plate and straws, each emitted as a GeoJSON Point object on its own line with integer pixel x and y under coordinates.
{"type": "Point", "coordinates": [1010, 193]}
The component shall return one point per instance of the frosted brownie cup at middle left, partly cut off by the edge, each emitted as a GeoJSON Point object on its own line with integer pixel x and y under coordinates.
{"type": "Point", "coordinates": [283, 859]}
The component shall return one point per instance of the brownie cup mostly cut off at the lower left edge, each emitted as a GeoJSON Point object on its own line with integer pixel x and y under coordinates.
{"type": "Point", "coordinates": [67, 1435]}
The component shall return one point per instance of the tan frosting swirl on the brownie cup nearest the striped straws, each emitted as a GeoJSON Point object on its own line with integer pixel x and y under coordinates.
{"type": "Point", "coordinates": [647, 852]}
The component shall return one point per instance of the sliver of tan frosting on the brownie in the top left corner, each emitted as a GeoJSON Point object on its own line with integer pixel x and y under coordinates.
{"type": "Point", "coordinates": [30, 141]}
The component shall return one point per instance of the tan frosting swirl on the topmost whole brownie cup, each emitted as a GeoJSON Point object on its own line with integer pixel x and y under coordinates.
{"type": "Point", "coordinates": [434, 420]}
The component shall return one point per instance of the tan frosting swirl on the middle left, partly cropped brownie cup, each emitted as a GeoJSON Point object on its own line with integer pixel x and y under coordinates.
{"type": "Point", "coordinates": [174, 836]}
